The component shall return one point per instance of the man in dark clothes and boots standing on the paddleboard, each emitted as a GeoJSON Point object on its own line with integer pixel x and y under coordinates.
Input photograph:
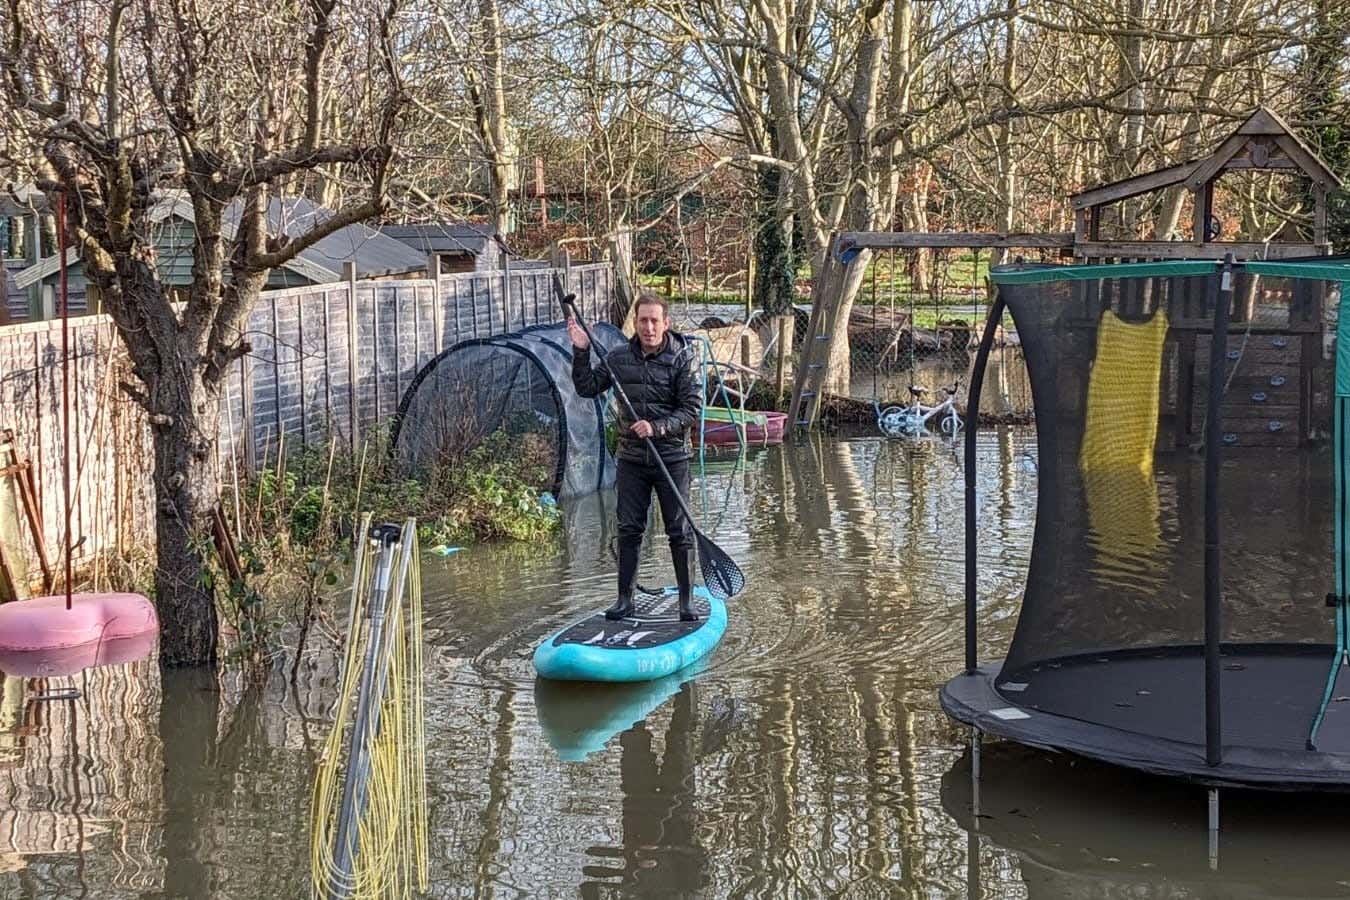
{"type": "Point", "coordinates": [657, 373]}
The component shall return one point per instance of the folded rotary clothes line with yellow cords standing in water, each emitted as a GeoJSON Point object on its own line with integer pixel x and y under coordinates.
{"type": "Point", "coordinates": [369, 809]}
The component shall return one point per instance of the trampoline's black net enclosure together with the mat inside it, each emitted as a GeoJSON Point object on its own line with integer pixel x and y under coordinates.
{"type": "Point", "coordinates": [1112, 627]}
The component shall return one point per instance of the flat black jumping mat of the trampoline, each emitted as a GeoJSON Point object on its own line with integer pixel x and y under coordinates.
{"type": "Point", "coordinates": [1270, 694]}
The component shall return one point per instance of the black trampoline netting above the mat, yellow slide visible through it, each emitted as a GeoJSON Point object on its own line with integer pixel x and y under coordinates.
{"type": "Point", "coordinates": [1120, 374]}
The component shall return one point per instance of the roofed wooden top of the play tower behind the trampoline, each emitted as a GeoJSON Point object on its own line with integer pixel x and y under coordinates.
{"type": "Point", "coordinates": [1263, 142]}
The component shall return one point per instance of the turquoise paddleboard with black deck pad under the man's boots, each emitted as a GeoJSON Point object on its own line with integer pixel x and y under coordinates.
{"type": "Point", "coordinates": [649, 646]}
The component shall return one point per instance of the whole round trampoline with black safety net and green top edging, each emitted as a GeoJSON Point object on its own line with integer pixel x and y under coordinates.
{"type": "Point", "coordinates": [1186, 605]}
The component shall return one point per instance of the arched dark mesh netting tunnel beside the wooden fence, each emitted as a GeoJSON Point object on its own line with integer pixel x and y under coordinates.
{"type": "Point", "coordinates": [511, 392]}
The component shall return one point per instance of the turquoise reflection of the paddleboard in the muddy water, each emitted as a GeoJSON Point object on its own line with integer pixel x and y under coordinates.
{"type": "Point", "coordinates": [578, 720]}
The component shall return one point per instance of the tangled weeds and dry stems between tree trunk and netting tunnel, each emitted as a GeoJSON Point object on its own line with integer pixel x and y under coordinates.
{"type": "Point", "coordinates": [292, 527]}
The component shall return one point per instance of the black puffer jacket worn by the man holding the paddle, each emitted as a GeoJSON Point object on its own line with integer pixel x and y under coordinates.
{"type": "Point", "coordinates": [661, 388]}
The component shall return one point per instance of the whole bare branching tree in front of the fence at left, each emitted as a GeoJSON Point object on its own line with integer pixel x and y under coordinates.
{"type": "Point", "coordinates": [138, 103]}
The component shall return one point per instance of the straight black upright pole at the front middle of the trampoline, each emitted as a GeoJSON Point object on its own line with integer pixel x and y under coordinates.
{"type": "Point", "coordinates": [1213, 573]}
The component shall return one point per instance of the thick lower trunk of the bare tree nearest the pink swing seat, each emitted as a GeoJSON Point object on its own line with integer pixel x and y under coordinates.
{"type": "Point", "coordinates": [186, 434]}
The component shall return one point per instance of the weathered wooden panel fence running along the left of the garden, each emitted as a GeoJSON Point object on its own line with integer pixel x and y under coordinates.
{"type": "Point", "coordinates": [296, 381]}
